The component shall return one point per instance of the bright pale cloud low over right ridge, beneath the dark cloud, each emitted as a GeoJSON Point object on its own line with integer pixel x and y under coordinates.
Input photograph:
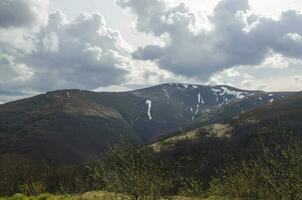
{"type": "Point", "coordinates": [263, 77]}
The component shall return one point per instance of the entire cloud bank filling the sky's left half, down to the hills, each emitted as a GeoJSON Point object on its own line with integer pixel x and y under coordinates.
{"type": "Point", "coordinates": [82, 53]}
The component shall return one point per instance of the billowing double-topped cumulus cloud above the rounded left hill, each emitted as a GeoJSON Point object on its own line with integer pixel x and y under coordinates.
{"type": "Point", "coordinates": [83, 53]}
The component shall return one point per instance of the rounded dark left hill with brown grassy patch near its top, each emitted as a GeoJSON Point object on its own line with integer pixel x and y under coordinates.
{"type": "Point", "coordinates": [60, 128]}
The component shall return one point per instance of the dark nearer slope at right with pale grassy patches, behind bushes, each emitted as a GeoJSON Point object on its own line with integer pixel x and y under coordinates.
{"type": "Point", "coordinates": [206, 149]}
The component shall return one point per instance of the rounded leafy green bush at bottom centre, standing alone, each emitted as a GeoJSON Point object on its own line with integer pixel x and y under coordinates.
{"type": "Point", "coordinates": [129, 169]}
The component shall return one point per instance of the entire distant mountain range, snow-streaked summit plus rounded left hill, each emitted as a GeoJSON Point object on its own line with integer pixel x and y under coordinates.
{"type": "Point", "coordinates": [74, 126]}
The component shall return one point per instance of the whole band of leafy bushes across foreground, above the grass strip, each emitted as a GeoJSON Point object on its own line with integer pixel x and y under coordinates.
{"type": "Point", "coordinates": [137, 172]}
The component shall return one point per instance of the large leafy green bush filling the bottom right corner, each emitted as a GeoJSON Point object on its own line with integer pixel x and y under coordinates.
{"type": "Point", "coordinates": [276, 174]}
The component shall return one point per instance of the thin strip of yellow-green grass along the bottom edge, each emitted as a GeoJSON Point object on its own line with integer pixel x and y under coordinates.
{"type": "Point", "coordinates": [93, 196]}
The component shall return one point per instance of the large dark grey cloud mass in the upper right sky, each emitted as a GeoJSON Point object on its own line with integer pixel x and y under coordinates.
{"type": "Point", "coordinates": [238, 36]}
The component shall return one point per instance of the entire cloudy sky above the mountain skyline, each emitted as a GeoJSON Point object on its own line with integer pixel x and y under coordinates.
{"type": "Point", "coordinates": [112, 45]}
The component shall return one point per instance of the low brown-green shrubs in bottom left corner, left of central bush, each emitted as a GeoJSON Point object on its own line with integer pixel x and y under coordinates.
{"type": "Point", "coordinates": [19, 174]}
